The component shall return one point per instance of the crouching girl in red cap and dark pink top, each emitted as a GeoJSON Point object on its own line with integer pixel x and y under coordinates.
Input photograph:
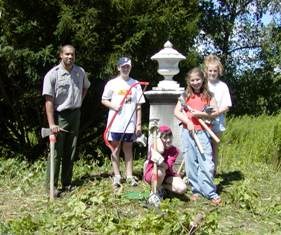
{"type": "Point", "coordinates": [167, 155]}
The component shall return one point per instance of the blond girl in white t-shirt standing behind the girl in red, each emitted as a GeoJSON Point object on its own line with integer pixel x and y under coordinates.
{"type": "Point", "coordinates": [214, 70]}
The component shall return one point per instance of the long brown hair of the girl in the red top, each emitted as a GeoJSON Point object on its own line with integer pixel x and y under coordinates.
{"type": "Point", "coordinates": [204, 91]}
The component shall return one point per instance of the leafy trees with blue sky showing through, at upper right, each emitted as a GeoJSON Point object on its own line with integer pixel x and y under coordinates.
{"type": "Point", "coordinates": [237, 33]}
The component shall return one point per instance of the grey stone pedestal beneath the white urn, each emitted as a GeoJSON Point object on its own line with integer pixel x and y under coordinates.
{"type": "Point", "coordinates": [162, 103]}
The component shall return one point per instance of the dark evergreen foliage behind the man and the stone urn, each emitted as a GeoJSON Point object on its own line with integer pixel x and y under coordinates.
{"type": "Point", "coordinates": [101, 31]}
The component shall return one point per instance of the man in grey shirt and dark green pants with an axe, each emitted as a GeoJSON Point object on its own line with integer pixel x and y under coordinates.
{"type": "Point", "coordinates": [64, 88]}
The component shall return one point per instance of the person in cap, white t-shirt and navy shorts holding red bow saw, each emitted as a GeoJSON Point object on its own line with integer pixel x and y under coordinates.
{"type": "Point", "coordinates": [127, 122]}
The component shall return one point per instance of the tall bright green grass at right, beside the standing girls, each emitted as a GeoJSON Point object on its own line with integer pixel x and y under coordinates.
{"type": "Point", "coordinates": [250, 140]}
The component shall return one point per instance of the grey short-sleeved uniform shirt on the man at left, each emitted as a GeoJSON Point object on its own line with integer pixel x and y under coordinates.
{"type": "Point", "coordinates": [65, 87]}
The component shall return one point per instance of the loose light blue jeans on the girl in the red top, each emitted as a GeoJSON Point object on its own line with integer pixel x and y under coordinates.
{"type": "Point", "coordinates": [199, 167]}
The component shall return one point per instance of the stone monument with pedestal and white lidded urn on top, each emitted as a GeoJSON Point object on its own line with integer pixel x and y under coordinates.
{"type": "Point", "coordinates": [163, 98]}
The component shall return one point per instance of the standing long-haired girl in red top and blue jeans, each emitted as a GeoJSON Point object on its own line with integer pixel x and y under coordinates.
{"type": "Point", "coordinates": [199, 164]}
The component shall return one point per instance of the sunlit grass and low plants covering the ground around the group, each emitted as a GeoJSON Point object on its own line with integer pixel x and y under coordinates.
{"type": "Point", "coordinates": [248, 182]}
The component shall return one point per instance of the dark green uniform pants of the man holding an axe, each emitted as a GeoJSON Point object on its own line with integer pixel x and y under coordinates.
{"type": "Point", "coordinates": [65, 147]}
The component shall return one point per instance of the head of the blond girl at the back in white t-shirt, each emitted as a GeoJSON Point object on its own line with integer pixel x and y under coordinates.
{"type": "Point", "coordinates": [213, 67]}
